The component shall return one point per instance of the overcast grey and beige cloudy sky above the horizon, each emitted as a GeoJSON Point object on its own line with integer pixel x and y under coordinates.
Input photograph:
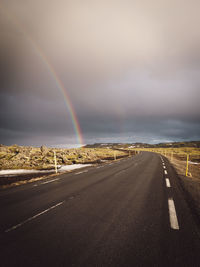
{"type": "Point", "coordinates": [131, 70]}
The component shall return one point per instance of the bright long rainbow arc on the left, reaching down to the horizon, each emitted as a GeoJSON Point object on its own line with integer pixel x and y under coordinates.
{"type": "Point", "coordinates": [51, 69]}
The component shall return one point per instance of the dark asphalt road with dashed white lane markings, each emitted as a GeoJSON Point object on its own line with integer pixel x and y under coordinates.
{"type": "Point", "coordinates": [128, 213]}
